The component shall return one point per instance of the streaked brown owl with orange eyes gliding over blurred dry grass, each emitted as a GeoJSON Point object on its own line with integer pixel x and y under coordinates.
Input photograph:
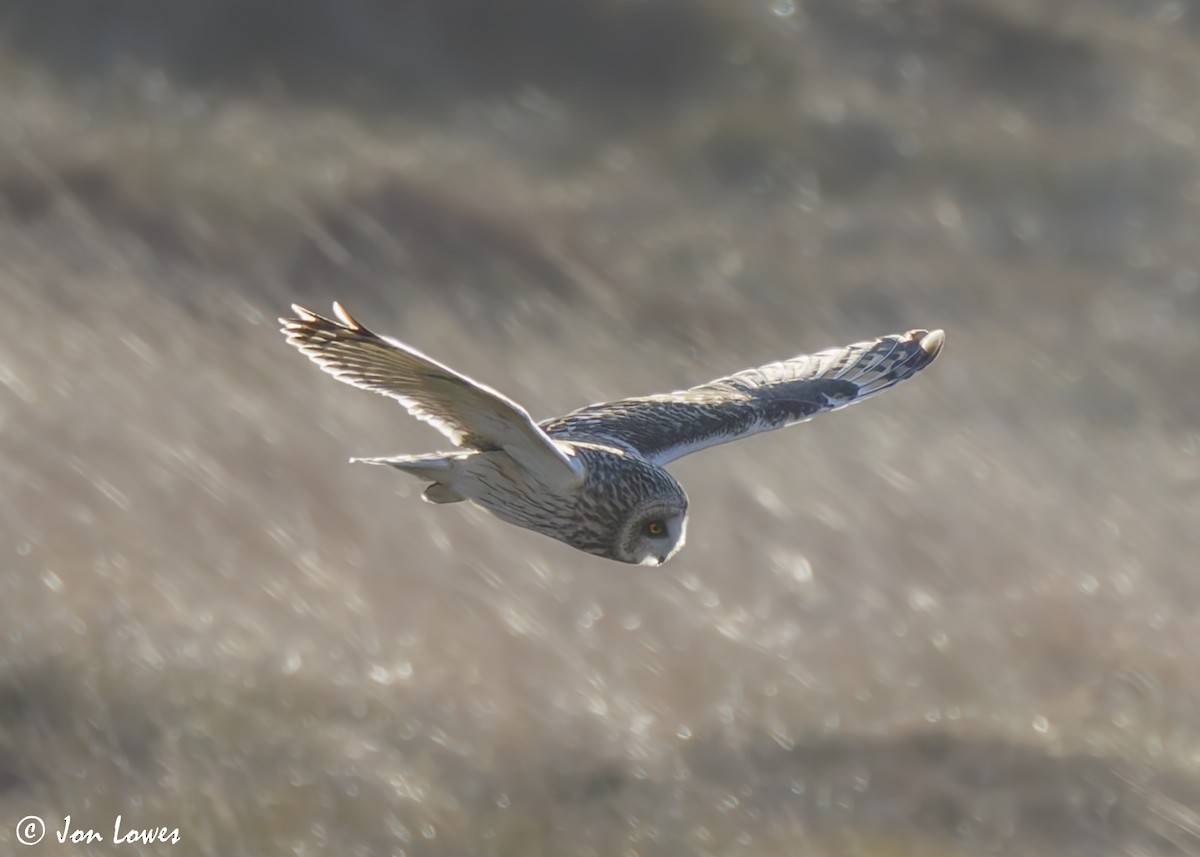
{"type": "Point", "coordinates": [595, 478]}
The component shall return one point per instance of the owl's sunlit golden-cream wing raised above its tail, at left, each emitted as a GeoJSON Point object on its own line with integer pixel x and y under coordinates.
{"type": "Point", "coordinates": [469, 413]}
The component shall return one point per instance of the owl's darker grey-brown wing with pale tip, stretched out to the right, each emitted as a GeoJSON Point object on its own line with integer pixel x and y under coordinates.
{"type": "Point", "coordinates": [667, 427]}
